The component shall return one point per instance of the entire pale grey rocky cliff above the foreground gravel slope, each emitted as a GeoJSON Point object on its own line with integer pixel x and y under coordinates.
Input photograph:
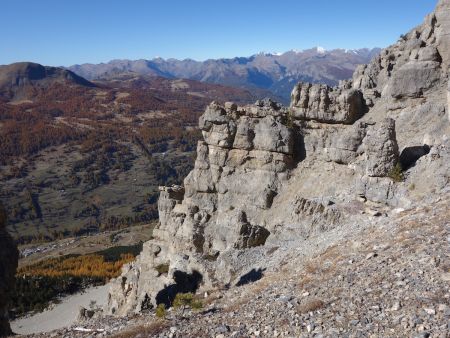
{"type": "Point", "coordinates": [269, 177]}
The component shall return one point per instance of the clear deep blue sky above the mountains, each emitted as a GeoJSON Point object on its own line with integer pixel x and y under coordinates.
{"type": "Point", "coordinates": [66, 32]}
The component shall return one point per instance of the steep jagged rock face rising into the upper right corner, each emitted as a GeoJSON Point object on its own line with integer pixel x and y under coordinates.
{"type": "Point", "coordinates": [418, 62]}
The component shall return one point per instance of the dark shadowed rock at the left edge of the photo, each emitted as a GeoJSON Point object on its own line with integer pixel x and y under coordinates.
{"type": "Point", "coordinates": [8, 264]}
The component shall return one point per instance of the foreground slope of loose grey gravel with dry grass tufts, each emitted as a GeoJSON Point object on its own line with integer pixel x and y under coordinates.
{"type": "Point", "coordinates": [386, 278]}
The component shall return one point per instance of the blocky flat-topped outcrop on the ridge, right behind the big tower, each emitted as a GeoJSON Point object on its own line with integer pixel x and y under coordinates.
{"type": "Point", "coordinates": [325, 104]}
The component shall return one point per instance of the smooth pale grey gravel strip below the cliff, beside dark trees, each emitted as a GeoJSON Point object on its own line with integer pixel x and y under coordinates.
{"type": "Point", "coordinates": [61, 315]}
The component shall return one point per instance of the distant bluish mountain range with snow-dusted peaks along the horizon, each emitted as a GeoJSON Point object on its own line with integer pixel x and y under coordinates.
{"type": "Point", "coordinates": [274, 72]}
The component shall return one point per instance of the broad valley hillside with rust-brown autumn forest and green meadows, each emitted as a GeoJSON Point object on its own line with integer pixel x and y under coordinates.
{"type": "Point", "coordinates": [77, 158]}
